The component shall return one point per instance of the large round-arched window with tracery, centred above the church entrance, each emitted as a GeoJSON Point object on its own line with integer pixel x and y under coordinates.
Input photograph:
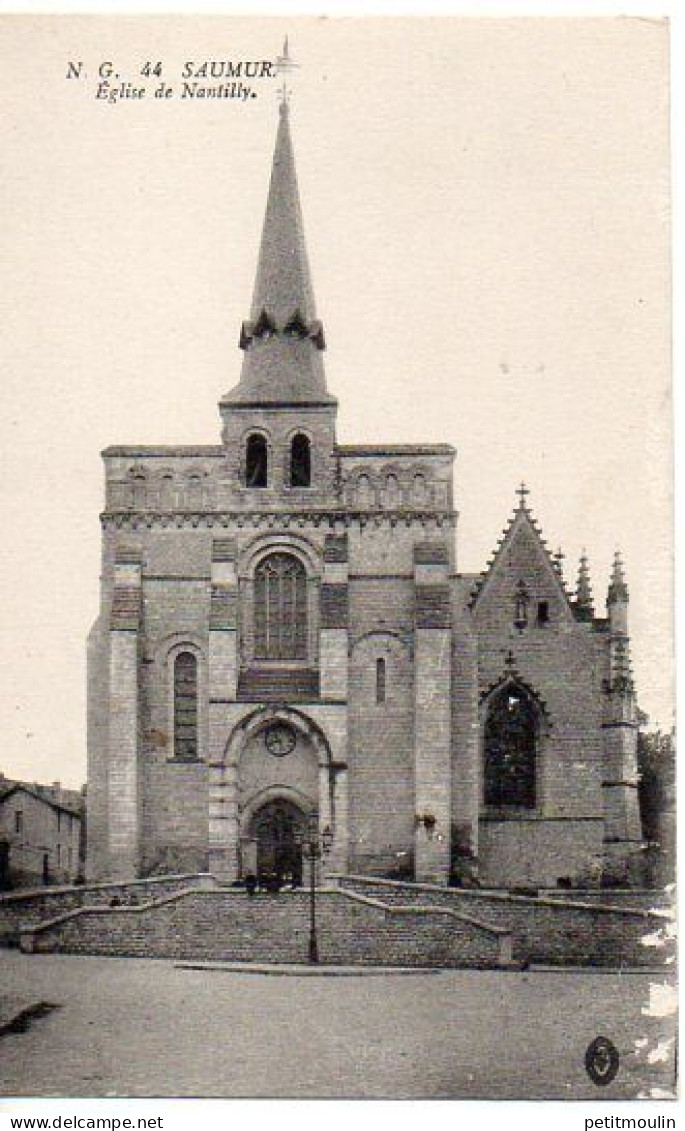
{"type": "Point", "coordinates": [281, 609]}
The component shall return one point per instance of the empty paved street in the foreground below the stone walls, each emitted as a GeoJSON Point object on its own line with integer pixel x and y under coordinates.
{"type": "Point", "coordinates": [129, 1028]}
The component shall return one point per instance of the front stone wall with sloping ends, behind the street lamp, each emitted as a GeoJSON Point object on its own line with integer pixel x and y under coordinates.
{"type": "Point", "coordinates": [232, 927]}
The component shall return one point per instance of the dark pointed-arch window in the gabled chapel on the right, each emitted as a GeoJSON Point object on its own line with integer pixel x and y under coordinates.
{"type": "Point", "coordinates": [511, 737]}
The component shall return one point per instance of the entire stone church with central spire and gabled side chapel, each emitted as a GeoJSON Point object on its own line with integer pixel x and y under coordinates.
{"type": "Point", "coordinates": [284, 635]}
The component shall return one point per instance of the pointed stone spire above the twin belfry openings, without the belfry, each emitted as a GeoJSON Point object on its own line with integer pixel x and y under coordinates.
{"type": "Point", "coordinates": [283, 340]}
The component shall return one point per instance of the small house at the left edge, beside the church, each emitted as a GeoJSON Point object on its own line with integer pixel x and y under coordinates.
{"type": "Point", "coordinates": [41, 835]}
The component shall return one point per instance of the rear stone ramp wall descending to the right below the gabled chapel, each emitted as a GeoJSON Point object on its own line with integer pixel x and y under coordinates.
{"type": "Point", "coordinates": [549, 931]}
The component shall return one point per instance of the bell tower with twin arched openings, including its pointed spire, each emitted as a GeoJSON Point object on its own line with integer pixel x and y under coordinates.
{"type": "Point", "coordinates": [279, 422]}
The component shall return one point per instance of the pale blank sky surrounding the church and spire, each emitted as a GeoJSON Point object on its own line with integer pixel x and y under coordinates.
{"type": "Point", "coordinates": [487, 206]}
